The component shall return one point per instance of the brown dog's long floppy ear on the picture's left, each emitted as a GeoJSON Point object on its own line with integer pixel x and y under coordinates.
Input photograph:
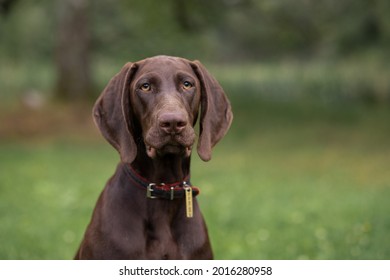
{"type": "Point", "coordinates": [111, 113]}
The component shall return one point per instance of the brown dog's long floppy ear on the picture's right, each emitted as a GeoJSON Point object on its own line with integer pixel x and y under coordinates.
{"type": "Point", "coordinates": [216, 113]}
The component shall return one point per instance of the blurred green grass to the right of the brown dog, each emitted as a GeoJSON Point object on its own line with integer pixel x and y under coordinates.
{"type": "Point", "coordinates": [311, 189]}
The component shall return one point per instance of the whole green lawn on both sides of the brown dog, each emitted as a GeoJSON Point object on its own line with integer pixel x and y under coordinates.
{"type": "Point", "coordinates": [291, 180]}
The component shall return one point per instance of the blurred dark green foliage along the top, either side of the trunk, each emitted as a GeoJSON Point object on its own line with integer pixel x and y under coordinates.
{"type": "Point", "coordinates": [209, 30]}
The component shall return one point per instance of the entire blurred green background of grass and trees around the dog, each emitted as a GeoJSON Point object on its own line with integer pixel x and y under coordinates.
{"type": "Point", "coordinates": [302, 174]}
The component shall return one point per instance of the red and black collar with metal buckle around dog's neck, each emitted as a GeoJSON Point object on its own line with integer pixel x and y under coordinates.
{"type": "Point", "coordinates": [161, 190]}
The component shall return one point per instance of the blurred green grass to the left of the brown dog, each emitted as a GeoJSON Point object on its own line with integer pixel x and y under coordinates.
{"type": "Point", "coordinates": [46, 197]}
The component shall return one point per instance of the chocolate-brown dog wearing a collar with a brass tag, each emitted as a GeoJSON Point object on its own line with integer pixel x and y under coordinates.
{"type": "Point", "coordinates": [148, 209]}
